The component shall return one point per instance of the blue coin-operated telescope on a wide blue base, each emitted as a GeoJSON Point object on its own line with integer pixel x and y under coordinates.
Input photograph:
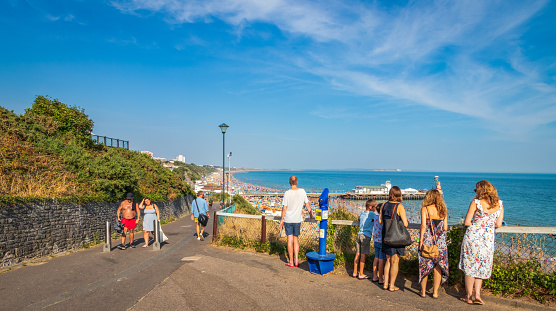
{"type": "Point", "coordinates": [321, 262]}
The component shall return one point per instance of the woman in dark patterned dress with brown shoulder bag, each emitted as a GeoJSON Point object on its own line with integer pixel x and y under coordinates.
{"type": "Point", "coordinates": [434, 224]}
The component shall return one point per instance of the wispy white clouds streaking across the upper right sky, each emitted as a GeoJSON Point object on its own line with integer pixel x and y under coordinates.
{"type": "Point", "coordinates": [459, 56]}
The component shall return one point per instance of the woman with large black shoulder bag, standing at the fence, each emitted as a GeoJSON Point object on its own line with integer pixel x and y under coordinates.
{"type": "Point", "coordinates": [392, 253]}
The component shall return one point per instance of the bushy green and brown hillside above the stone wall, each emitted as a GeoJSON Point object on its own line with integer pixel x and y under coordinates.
{"type": "Point", "coordinates": [47, 153]}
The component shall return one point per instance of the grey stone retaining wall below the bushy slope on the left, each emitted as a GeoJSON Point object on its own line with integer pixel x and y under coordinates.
{"type": "Point", "coordinates": [40, 229]}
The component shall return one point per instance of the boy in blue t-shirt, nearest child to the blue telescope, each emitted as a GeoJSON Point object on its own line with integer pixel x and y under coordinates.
{"type": "Point", "coordinates": [363, 241]}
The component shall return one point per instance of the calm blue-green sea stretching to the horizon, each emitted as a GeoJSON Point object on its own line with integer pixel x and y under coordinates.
{"type": "Point", "coordinates": [529, 199]}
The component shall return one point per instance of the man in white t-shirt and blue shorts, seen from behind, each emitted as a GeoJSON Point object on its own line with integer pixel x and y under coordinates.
{"type": "Point", "coordinates": [292, 216]}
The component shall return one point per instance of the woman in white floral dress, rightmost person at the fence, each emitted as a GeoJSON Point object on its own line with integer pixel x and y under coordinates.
{"type": "Point", "coordinates": [485, 213]}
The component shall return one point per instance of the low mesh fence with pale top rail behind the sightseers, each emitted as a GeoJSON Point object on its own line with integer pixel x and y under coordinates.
{"type": "Point", "coordinates": [512, 244]}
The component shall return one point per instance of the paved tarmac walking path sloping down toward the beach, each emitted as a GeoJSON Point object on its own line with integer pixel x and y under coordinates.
{"type": "Point", "coordinates": [187, 274]}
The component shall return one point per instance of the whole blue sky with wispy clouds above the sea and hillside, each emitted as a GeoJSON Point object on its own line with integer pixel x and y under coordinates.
{"type": "Point", "coordinates": [415, 85]}
